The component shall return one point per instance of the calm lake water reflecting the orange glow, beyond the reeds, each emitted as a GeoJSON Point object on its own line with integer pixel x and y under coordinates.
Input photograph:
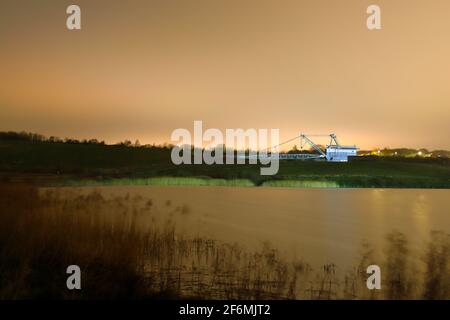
{"type": "Point", "coordinates": [317, 225]}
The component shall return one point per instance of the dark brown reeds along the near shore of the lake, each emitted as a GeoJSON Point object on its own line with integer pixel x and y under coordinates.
{"type": "Point", "coordinates": [42, 233]}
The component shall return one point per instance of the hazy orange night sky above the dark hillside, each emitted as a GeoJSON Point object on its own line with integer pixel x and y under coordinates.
{"type": "Point", "coordinates": [140, 69]}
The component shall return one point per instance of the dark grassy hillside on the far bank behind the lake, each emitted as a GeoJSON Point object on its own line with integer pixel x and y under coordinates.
{"type": "Point", "coordinates": [56, 162]}
